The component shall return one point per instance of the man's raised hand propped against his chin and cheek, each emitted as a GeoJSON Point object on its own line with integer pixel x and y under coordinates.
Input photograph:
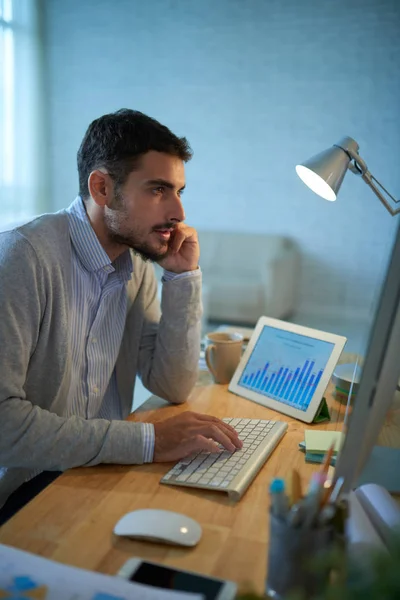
{"type": "Point", "coordinates": [183, 254]}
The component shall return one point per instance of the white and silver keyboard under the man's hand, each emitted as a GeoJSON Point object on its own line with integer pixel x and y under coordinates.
{"type": "Point", "coordinates": [230, 472]}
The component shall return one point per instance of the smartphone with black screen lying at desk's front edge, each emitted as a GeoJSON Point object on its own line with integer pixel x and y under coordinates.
{"type": "Point", "coordinates": [168, 578]}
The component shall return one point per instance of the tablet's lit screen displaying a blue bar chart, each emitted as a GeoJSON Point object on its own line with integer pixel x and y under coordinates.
{"type": "Point", "coordinates": [286, 366]}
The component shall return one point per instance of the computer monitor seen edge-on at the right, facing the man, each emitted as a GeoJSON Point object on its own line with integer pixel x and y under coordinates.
{"type": "Point", "coordinates": [380, 375]}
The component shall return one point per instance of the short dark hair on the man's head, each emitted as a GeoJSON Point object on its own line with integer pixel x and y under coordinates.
{"type": "Point", "coordinates": [118, 140]}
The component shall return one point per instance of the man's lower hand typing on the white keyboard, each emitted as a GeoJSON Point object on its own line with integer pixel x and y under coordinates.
{"type": "Point", "coordinates": [189, 432]}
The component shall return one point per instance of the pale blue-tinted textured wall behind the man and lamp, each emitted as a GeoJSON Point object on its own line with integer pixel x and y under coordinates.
{"type": "Point", "coordinates": [256, 86]}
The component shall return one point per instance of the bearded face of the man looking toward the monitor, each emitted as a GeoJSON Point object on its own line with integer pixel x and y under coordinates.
{"type": "Point", "coordinates": [148, 206]}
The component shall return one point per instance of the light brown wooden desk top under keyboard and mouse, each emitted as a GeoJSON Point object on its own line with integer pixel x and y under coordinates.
{"type": "Point", "coordinates": [72, 520]}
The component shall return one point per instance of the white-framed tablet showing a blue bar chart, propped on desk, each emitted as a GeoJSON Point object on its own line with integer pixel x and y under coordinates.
{"type": "Point", "coordinates": [287, 367]}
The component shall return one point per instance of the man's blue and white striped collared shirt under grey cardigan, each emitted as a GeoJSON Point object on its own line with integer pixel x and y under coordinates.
{"type": "Point", "coordinates": [98, 311]}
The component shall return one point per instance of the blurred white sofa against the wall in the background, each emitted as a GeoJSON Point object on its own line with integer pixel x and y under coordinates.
{"type": "Point", "coordinates": [248, 275]}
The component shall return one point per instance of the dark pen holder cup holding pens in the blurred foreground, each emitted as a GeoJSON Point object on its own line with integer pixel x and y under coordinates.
{"type": "Point", "coordinates": [293, 552]}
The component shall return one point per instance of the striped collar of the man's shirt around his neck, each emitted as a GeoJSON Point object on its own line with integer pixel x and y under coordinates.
{"type": "Point", "coordinates": [87, 246]}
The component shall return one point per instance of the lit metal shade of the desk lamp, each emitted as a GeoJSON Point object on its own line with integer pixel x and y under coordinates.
{"type": "Point", "coordinates": [324, 172]}
